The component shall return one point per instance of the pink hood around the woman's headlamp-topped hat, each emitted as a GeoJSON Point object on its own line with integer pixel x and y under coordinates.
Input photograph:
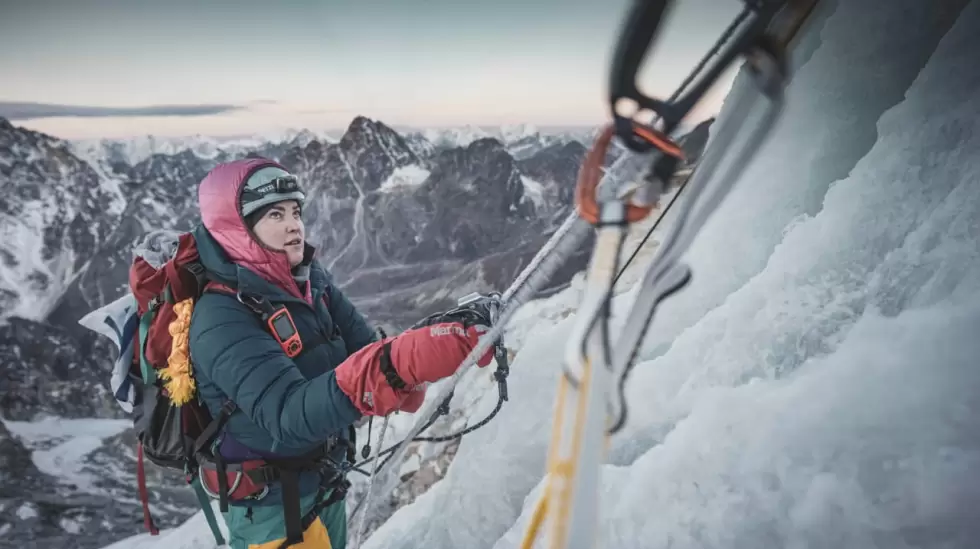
{"type": "Point", "coordinates": [218, 199]}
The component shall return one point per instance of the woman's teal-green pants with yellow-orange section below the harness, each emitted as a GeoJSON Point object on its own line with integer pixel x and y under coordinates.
{"type": "Point", "coordinates": [265, 528]}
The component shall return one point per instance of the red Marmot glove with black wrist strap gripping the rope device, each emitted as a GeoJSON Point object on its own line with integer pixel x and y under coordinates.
{"type": "Point", "coordinates": [416, 357]}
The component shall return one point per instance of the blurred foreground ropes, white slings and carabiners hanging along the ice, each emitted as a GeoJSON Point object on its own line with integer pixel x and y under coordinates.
{"type": "Point", "coordinates": [587, 411]}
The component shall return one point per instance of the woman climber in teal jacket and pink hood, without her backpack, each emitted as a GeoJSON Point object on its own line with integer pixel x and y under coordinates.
{"type": "Point", "coordinates": [292, 362]}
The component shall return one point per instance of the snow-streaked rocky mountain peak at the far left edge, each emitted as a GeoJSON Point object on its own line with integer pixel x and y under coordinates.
{"type": "Point", "coordinates": [57, 211]}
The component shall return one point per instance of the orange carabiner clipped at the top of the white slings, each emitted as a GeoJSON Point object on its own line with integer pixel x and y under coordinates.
{"type": "Point", "coordinates": [591, 172]}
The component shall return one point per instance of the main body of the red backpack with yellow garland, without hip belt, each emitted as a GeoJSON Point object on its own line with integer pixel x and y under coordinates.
{"type": "Point", "coordinates": [173, 426]}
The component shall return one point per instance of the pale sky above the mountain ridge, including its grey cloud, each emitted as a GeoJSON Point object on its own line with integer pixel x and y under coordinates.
{"type": "Point", "coordinates": [245, 67]}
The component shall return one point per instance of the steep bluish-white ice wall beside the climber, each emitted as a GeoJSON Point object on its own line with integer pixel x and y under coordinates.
{"type": "Point", "coordinates": [787, 273]}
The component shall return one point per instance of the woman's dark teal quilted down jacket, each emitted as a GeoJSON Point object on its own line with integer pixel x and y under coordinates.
{"type": "Point", "coordinates": [285, 406]}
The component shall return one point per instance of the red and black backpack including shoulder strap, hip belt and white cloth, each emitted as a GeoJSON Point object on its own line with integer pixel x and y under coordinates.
{"type": "Point", "coordinates": [153, 376]}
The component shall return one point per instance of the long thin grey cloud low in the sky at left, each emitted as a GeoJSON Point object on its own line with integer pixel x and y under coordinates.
{"type": "Point", "coordinates": [27, 111]}
